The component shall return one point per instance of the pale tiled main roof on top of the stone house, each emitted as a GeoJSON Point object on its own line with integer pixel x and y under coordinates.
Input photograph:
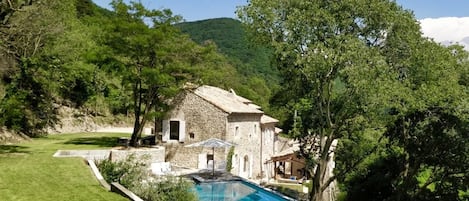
{"type": "Point", "coordinates": [226, 101]}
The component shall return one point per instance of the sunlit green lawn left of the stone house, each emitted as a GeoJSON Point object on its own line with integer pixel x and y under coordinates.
{"type": "Point", "coordinates": [29, 172]}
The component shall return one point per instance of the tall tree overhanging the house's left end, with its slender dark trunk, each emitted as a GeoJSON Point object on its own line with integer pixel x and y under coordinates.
{"type": "Point", "coordinates": [159, 60]}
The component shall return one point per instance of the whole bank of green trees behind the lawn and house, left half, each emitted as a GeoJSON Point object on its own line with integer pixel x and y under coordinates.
{"type": "Point", "coordinates": [129, 61]}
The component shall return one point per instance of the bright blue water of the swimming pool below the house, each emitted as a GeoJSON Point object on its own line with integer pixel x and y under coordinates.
{"type": "Point", "coordinates": [233, 191]}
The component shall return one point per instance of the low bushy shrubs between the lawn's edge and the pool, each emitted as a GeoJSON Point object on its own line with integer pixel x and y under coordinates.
{"type": "Point", "coordinates": [134, 175]}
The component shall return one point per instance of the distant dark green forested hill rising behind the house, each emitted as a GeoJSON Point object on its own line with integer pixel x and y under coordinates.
{"type": "Point", "coordinates": [231, 39]}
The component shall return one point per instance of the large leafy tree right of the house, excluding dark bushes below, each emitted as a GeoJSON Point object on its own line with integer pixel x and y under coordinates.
{"type": "Point", "coordinates": [350, 68]}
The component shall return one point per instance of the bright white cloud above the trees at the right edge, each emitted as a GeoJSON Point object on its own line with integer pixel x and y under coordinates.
{"type": "Point", "coordinates": [447, 30]}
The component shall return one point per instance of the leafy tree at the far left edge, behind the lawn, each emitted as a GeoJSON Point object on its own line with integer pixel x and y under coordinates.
{"type": "Point", "coordinates": [27, 28]}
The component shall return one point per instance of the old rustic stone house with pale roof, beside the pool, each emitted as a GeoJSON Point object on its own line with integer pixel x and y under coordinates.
{"type": "Point", "coordinates": [210, 112]}
